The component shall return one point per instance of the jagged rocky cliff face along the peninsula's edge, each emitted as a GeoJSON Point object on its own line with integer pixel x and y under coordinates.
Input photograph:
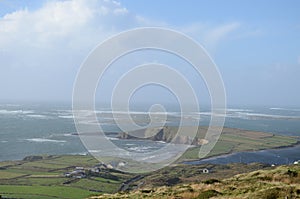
{"type": "Point", "coordinates": [166, 134]}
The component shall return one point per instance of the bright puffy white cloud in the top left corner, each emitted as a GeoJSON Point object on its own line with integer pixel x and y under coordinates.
{"type": "Point", "coordinates": [58, 18]}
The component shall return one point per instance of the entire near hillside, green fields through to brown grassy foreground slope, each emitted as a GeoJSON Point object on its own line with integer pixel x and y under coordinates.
{"type": "Point", "coordinates": [45, 177]}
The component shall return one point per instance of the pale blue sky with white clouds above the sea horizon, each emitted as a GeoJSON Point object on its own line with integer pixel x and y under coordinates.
{"type": "Point", "coordinates": [255, 45]}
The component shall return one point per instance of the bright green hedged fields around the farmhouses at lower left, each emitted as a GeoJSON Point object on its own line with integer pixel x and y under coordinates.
{"type": "Point", "coordinates": [44, 178]}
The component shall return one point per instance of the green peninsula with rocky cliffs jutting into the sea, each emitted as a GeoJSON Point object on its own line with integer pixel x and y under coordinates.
{"type": "Point", "coordinates": [231, 140]}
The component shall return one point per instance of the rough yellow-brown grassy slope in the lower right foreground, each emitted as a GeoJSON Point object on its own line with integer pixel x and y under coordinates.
{"type": "Point", "coordinates": [280, 182]}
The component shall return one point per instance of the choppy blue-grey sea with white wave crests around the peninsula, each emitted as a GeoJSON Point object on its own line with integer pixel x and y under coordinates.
{"type": "Point", "coordinates": [47, 128]}
